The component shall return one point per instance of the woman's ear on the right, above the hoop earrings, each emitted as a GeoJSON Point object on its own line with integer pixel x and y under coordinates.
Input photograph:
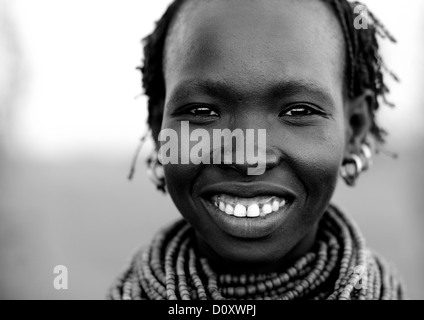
{"type": "Point", "coordinates": [358, 121]}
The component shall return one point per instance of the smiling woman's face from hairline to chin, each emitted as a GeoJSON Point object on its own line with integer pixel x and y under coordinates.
{"type": "Point", "coordinates": [274, 65]}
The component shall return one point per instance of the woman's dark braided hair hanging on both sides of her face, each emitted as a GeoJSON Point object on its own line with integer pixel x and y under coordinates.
{"type": "Point", "coordinates": [365, 67]}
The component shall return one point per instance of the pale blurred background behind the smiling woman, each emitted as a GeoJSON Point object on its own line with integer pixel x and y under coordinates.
{"type": "Point", "coordinates": [71, 115]}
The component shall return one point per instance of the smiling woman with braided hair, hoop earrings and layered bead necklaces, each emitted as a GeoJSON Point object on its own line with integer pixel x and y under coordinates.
{"type": "Point", "coordinates": [310, 75]}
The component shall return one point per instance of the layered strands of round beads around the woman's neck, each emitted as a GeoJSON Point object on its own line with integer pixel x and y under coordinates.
{"type": "Point", "coordinates": [339, 267]}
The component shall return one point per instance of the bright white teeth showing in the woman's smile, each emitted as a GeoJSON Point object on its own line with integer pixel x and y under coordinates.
{"type": "Point", "coordinates": [248, 207]}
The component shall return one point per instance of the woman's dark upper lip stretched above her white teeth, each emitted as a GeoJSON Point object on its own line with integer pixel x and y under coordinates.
{"type": "Point", "coordinates": [247, 190]}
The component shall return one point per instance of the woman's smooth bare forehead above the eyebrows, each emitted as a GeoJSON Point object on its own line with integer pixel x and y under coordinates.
{"type": "Point", "coordinates": [254, 42]}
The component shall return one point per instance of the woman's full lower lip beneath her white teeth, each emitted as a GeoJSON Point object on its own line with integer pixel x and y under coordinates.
{"type": "Point", "coordinates": [249, 228]}
